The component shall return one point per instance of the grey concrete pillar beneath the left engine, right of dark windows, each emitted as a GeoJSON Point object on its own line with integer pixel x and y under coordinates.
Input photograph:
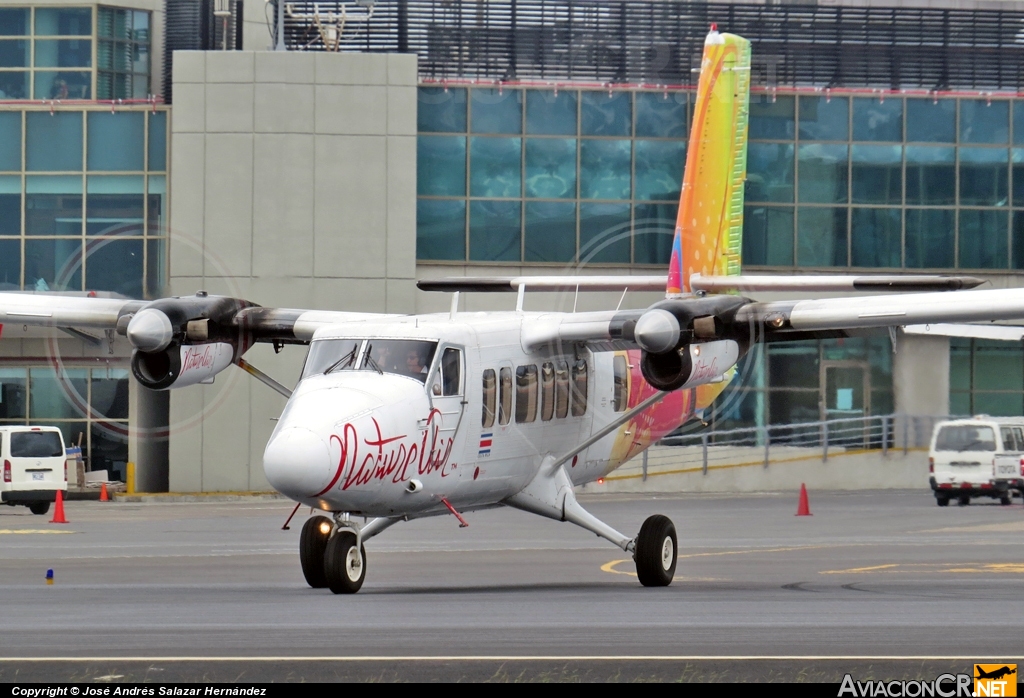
{"type": "Point", "coordinates": [149, 412]}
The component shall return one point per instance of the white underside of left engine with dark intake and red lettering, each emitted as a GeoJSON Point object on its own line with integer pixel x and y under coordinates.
{"type": "Point", "coordinates": [181, 366]}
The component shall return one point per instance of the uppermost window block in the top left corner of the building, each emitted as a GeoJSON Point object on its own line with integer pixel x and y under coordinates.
{"type": "Point", "coordinates": [89, 53]}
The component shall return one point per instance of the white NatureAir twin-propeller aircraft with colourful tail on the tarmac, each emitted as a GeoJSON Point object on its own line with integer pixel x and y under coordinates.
{"type": "Point", "coordinates": [398, 418]}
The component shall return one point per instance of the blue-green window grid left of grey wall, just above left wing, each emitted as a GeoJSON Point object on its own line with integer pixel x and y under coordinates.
{"type": "Point", "coordinates": [88, 210]}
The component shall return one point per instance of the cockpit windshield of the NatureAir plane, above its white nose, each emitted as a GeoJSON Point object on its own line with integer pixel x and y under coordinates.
{"type": "Point", "coordinates": [407, 358]}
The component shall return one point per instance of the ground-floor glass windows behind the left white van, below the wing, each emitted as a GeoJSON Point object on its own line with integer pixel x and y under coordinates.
{"type": "Point", "coordinates": [89, 404]}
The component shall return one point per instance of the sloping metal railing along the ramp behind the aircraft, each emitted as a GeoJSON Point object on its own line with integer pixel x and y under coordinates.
{"type": "Point", "coordinates": [789, 443]}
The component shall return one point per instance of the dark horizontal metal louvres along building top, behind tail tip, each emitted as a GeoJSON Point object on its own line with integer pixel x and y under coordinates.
{"type": "Point", "coordinates": [662, 42]}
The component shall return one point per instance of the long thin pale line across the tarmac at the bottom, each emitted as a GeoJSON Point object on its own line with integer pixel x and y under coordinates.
{"type": "Point", "coordinates": [546, 658]}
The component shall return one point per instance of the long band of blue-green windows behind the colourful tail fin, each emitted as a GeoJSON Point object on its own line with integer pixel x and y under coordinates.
{"type": "Point", "coordinates": [874, 183]}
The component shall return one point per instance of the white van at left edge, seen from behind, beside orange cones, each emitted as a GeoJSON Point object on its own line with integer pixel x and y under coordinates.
{"type": "Point", "coordinates": [34, 467]}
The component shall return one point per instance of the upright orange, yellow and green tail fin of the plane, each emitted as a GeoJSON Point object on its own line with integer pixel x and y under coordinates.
{"type": "Point", "coordinates": [710, 225]}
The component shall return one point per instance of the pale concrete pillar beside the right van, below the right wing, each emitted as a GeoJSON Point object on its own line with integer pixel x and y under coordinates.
{"type": "Point", "coordinates": [921, 386]}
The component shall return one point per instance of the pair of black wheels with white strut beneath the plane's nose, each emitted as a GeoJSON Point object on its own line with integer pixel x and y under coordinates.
{"type": "Point", "coordinates": [332, 553]}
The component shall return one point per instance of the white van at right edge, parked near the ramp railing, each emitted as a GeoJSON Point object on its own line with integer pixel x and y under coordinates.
{"type": "Point", "coordinates": [977, 457]}
